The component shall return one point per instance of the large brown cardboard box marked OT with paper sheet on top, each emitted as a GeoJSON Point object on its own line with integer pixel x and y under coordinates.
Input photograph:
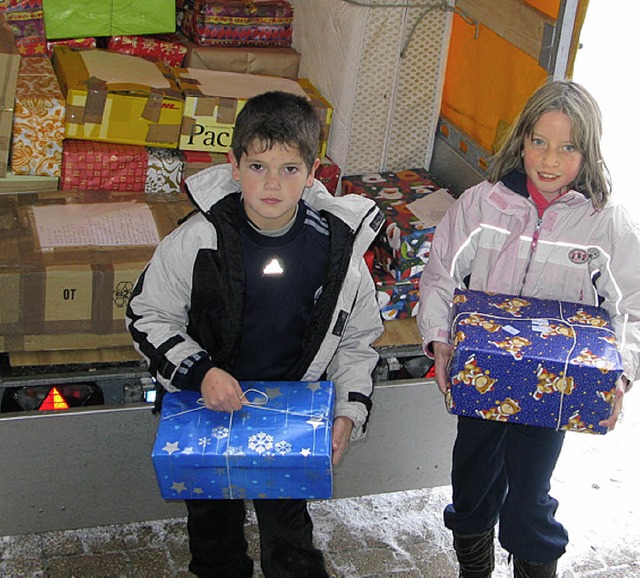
{"type": "Point", "coordinates": [70, 258]}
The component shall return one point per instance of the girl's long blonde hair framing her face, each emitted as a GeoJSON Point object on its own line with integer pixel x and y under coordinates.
{"type": "Point", "coordinates": [576, 102]}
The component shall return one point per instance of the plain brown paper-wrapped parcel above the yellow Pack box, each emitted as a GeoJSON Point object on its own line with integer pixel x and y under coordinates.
{"type": "Point", "coordinates": [282, 61]}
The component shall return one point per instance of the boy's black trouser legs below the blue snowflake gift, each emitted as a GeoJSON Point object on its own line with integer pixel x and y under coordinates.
{"type": "Point", "coordinates": [219, 548]}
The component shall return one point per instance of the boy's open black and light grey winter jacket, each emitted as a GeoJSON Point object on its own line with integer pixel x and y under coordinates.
{"type": "Point", "coordinates": [186, 310]}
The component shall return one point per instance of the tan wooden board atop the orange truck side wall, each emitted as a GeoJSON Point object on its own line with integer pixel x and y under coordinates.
{"type": "Point", "coordinates": [513, 20]}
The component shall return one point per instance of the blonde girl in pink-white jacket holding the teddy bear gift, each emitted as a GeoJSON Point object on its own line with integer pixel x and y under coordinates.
{"type": "Point", "coordinates": [540, 226]}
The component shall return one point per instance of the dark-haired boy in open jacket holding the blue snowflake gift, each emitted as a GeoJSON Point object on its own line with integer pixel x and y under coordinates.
{"type": "Point", "coordinates": [265, 282]}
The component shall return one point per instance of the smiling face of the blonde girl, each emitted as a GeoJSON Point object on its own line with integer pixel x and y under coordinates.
{"type": "Point", "coordinates": [551, 160]}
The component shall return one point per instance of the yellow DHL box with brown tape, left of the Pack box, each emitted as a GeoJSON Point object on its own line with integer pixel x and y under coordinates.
{"type": "Point", "coordinates": [118, 98]}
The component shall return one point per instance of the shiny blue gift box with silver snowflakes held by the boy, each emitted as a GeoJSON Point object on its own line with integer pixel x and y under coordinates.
{"type": "Point", "coordinates": [277, 446]}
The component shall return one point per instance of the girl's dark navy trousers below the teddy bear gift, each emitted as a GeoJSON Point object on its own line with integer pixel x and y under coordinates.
{"type": "Point", "coordinates": [502, 472]}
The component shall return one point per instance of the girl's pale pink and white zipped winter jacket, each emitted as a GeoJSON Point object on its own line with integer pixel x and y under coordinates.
{"type": "Point", "coordinates": [492, 239]}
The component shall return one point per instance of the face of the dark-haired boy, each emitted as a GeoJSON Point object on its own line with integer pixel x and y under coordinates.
{"type": "Point", "coordinates": [272, 183]}
